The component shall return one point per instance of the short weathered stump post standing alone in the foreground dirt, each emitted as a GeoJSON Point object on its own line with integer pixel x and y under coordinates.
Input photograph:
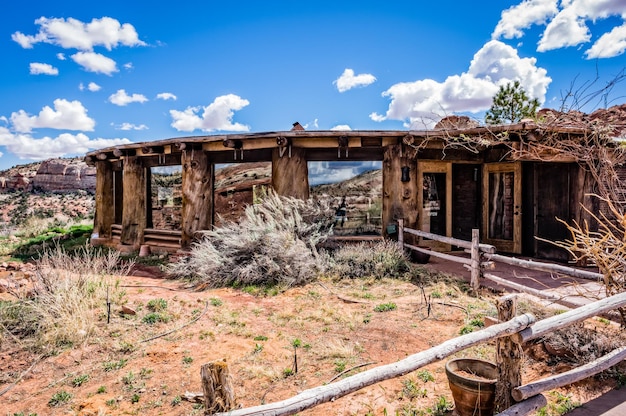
{"type": "Point", "coordinates": [217, 385]}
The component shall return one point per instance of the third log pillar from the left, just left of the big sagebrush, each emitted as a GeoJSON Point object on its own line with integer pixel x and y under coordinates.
{"type": "Point", "coordinates": [197, 190]}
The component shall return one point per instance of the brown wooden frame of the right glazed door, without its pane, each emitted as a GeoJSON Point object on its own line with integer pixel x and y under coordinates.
{"type": "Point", "coordinates": [515, 244]}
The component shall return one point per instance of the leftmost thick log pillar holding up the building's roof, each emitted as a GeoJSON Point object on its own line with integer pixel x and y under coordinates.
{"type": "Point", "coordinates": [105, 207]}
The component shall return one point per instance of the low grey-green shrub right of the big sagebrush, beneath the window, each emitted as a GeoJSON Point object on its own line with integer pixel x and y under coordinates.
{"type": "Point", "coordinates": [379, 260]}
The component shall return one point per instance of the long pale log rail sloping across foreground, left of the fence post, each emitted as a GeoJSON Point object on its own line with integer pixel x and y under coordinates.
{"type": "Point", "coordinates": [322, 394]}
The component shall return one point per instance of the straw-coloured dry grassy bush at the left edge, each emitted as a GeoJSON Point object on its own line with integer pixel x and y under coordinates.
{"type": "Point", "coordinates": [68, 292]}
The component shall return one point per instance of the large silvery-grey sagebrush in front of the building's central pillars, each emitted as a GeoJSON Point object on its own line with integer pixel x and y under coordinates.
{"type": "Point", "coordinates": [273, 244]}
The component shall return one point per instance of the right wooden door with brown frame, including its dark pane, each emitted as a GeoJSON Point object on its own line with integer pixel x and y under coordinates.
{"type": "Point", "coordinates": [502, 206]}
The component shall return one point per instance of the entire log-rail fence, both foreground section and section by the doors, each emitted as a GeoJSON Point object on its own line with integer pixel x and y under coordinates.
{"type": "Point", "coordinates": [510, 335]}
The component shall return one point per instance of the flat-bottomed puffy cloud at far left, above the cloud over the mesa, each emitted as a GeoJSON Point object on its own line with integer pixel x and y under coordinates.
{"type": "Point", "coordinates": [66, 115]}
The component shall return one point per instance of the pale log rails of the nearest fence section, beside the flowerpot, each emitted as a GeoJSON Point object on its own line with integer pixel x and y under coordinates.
{"type": "Point", "coordinates": [517, 330]}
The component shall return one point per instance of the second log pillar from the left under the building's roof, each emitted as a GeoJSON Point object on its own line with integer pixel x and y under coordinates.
{"type": "Point", "coordinates": [134, 200]}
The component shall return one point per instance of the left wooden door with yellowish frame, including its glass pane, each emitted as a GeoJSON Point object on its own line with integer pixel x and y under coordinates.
{"type": "Point", "coordinates": [435, 201]}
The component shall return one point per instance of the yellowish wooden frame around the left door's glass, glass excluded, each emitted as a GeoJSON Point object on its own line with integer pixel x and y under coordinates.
{"type": "Point", "coordinates": [435, 167]}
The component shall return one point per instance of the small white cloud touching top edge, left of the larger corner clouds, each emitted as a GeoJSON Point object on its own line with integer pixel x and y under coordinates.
{"type": "Point", "coordinates": [522, 16]}
